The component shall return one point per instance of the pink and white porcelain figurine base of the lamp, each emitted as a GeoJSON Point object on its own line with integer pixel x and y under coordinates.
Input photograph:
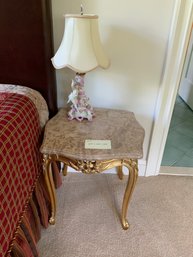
{"type": "Point", "coordinates": [80, 108]}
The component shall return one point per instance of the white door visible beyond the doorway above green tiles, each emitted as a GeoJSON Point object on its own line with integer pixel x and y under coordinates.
{"type": "Point", "coordinates": [186, 84]}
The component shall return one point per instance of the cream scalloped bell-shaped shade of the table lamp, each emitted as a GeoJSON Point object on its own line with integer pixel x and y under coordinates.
{"type": "Point", "coordinates": [81, 49]}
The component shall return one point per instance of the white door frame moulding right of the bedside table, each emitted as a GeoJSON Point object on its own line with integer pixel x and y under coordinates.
{"type": "Point", "coordinates": [177, 45]}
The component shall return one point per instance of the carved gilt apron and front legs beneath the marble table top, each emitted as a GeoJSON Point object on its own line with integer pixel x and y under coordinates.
{"type": "Point", "coordinates": [91, 167]}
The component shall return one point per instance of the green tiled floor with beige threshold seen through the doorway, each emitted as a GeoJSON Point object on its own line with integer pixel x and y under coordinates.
{"type": "Point", "coordinates": [178, 153]}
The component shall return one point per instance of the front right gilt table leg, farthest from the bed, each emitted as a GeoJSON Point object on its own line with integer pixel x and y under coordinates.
{"type": "Point", "coordinates": [132, 178]}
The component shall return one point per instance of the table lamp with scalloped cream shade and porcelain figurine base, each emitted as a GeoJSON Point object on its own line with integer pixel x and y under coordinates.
{"type": "Point", "coordinates": [81, 51]}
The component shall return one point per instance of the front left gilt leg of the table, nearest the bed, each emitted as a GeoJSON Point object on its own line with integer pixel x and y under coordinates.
{"type": "Point", "coordinates": [47, 169]}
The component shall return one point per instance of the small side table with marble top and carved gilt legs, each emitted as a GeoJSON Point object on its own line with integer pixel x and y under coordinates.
{"type": "Point", "coordinates": [64, 142]}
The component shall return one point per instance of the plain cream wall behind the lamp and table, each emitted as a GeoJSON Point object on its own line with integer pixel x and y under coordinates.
{"type": "Point", "coordinates": [134, 34]}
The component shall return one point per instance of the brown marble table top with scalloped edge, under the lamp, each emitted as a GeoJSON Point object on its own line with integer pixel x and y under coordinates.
{"type": "Point", "coordinates": [67, 138]}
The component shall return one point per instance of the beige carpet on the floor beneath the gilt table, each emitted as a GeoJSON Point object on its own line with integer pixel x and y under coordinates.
{"type": "Point", "coordinates": [88, 222]}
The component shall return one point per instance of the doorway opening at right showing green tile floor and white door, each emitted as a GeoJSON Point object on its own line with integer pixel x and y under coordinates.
{"type": "Point", "coordinates": [178, 150]}
